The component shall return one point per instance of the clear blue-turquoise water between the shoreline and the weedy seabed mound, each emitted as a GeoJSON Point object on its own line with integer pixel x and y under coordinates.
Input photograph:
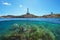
{"type": "Point", "coordinates": [53, 24]}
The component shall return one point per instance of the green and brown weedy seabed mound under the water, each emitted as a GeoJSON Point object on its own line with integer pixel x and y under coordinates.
{"type": "Point", "coordinates": [28, 32]}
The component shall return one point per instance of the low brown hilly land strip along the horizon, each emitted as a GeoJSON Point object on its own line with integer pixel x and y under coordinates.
{"type": "Point", "coordinates": [32, 16]}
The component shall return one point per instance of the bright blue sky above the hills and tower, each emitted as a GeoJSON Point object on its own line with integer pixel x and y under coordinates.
{"type": "Point", "coordinates": [36, 7]}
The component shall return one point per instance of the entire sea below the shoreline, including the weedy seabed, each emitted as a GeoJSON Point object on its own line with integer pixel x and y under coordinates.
{"type": "Point", "coordinates": [29, 28]}
